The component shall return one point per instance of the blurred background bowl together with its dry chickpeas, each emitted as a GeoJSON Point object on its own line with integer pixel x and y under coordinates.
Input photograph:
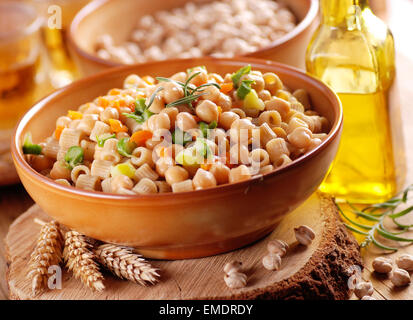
{"type": "Point", "coordinates": [250, 31]}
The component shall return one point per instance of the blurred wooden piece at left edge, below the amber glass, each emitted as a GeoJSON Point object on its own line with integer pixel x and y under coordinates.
{"type": "Point", "coordinates": [8, 174]}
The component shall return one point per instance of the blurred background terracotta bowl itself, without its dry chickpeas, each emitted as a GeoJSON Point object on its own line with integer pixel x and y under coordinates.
{"type": "Point", "coordinates": [87, 27]}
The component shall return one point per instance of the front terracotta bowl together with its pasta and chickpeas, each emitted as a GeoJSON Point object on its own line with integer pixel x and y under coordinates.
{"type": "Point", "coordinates": [180, 158]}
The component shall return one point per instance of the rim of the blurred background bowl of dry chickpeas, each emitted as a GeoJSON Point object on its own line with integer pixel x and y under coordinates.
{"type": "Point", "coordinates": [92, 6]}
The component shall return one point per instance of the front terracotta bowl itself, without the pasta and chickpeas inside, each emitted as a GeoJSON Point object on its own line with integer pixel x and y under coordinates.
{"type": "Point", "coordinates": [180, 225]}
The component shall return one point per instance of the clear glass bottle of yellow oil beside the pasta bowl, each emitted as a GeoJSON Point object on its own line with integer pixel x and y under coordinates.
{"type": "Point", "coordinates": [353, 52]}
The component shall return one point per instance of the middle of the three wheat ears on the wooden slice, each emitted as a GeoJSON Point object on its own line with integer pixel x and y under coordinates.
{"type": "Point", "coordinates": [80, 259]}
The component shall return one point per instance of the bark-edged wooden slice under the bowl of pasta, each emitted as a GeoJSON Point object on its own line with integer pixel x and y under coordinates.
{"type": "Point", "coordinates": [317, 272]}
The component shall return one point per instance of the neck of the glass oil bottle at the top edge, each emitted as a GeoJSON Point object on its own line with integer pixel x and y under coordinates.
{"type": "Point", "coordinates": [338, 11]}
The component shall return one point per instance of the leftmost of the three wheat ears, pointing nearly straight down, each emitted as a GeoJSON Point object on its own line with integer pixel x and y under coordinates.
{"type": "Point", "coordinates": [48, 252]}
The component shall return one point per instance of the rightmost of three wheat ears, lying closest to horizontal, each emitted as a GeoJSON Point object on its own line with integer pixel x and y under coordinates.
{"type": "Point", "coordinates": [127, 265]}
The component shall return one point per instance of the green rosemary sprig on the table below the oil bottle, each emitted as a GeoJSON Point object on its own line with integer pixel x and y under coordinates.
{"type": "Point", "coordinates": [377, 213]}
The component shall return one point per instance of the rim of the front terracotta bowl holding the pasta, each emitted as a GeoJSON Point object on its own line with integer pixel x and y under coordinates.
{"type": "Point", "coordinates": [22, 164]}
